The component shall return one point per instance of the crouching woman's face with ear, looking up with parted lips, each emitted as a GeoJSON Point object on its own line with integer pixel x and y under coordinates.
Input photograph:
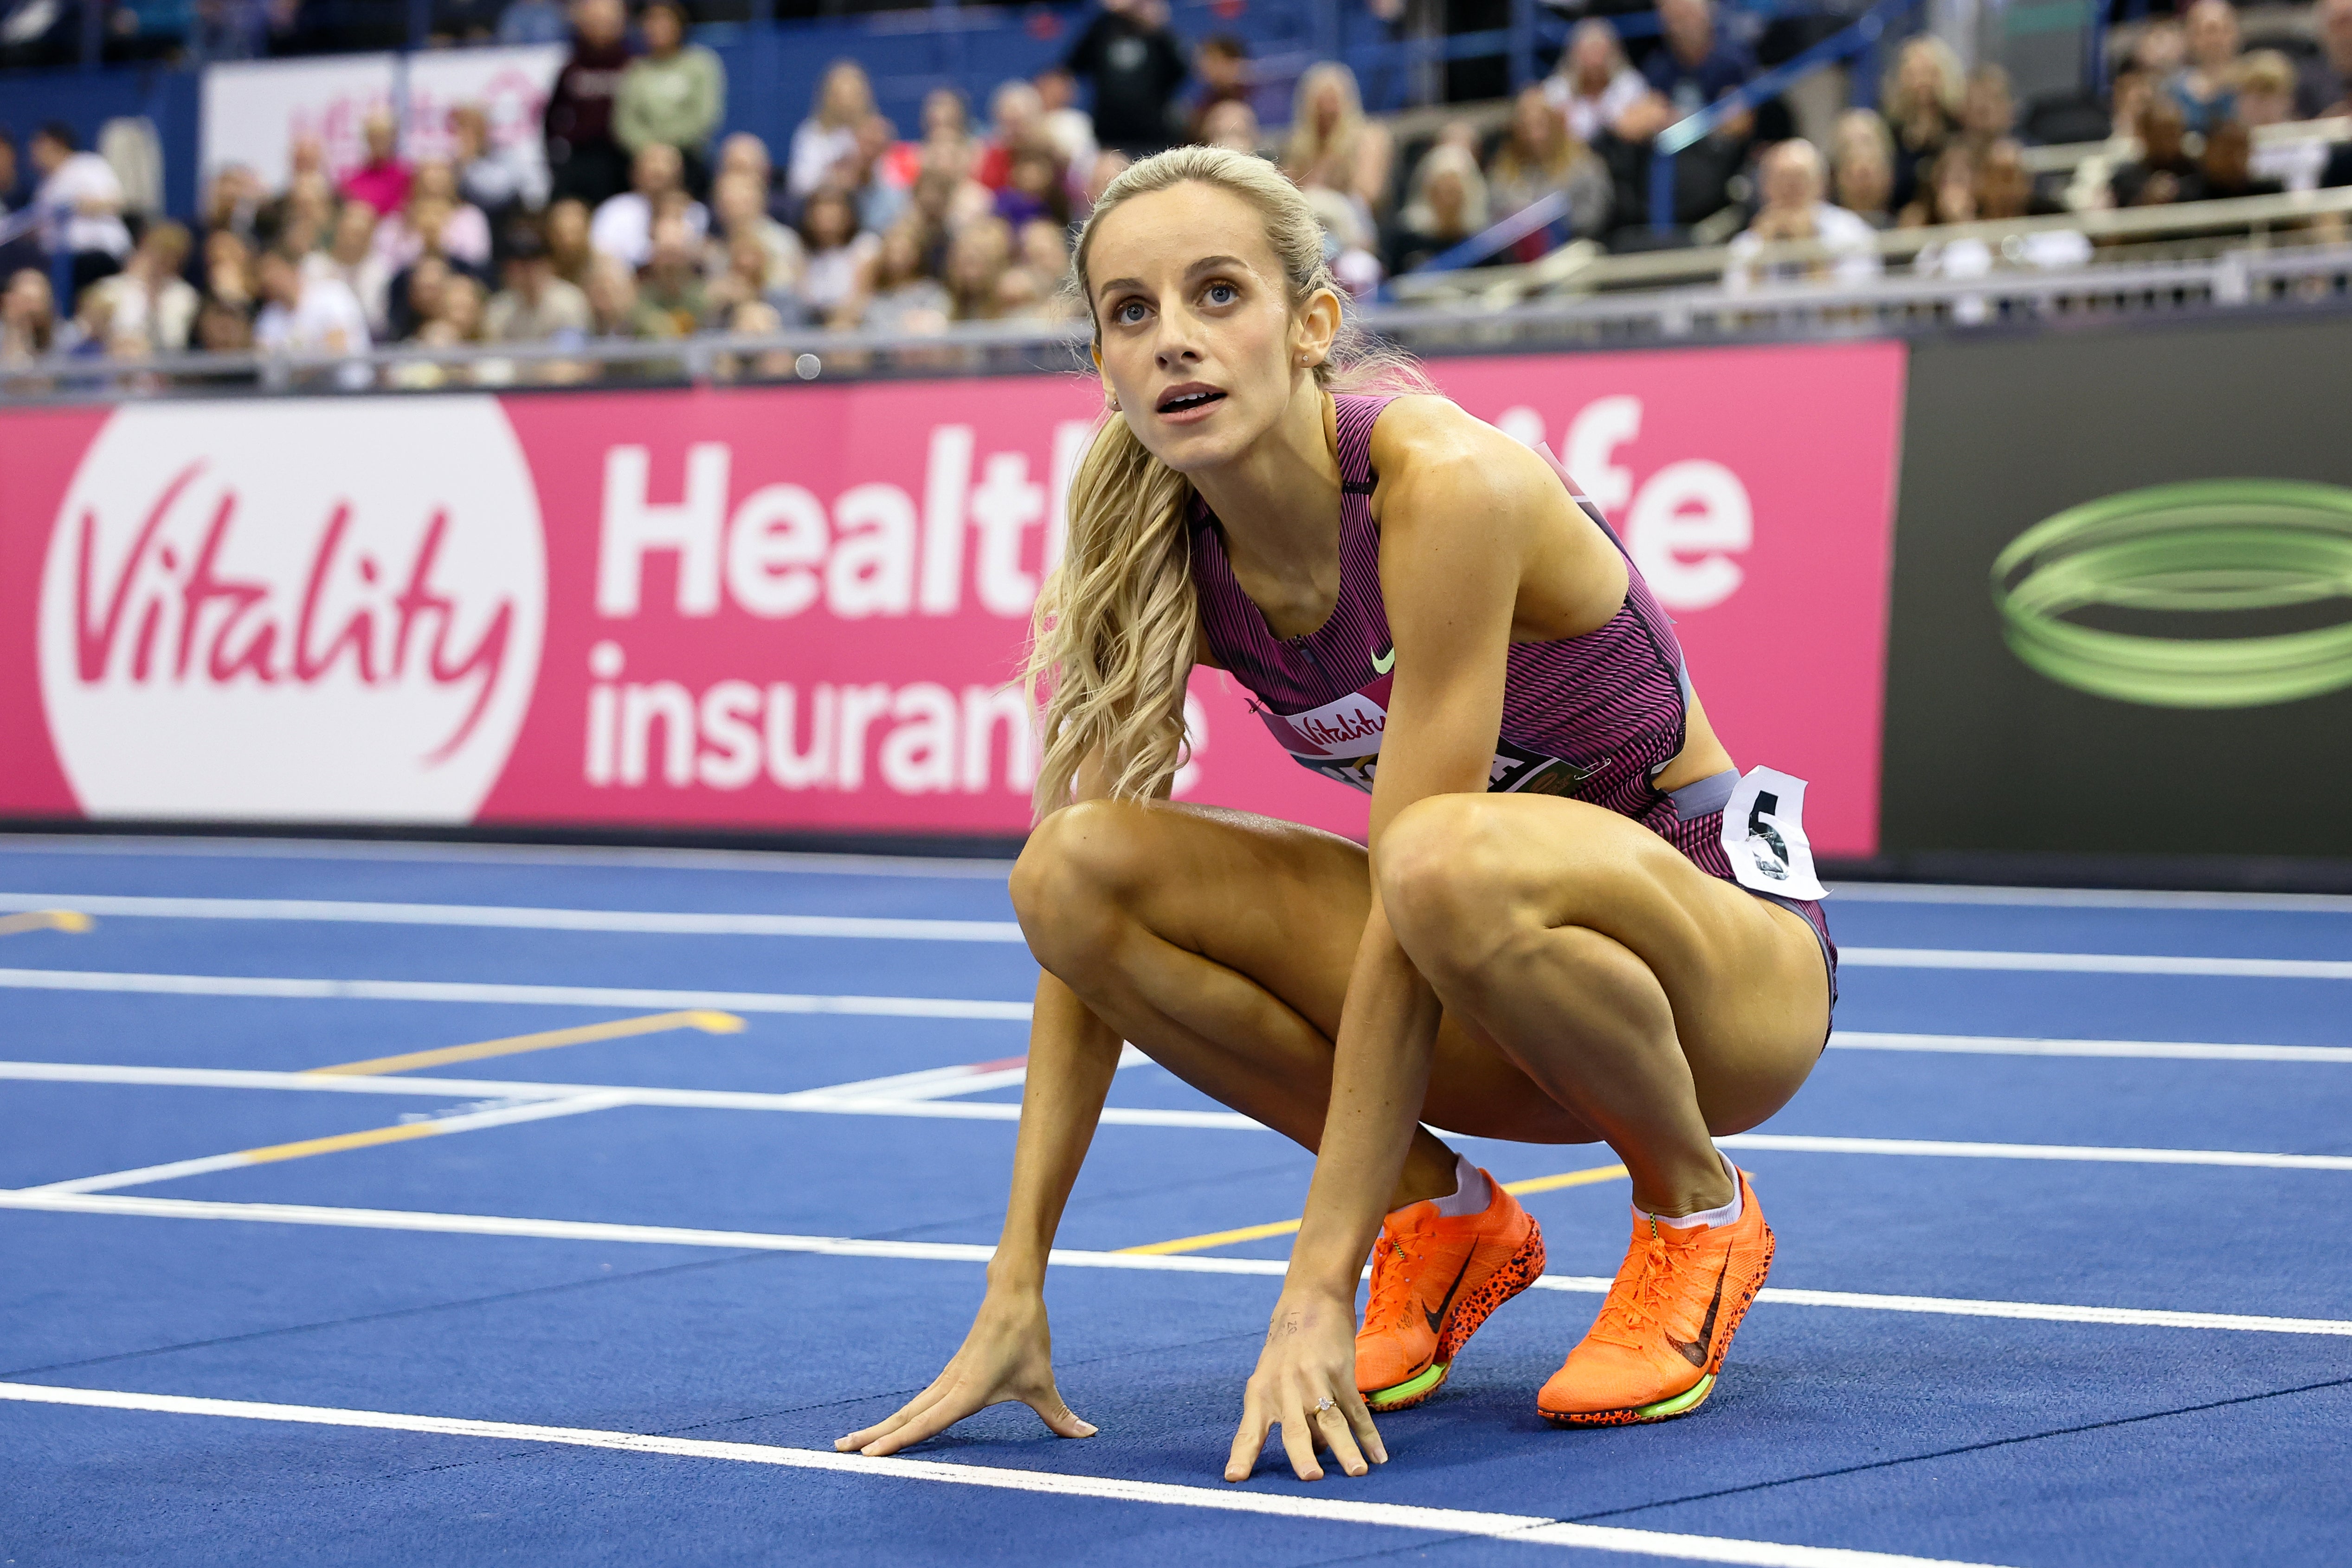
{"type": "Point", "coordinates": [1198, 340]}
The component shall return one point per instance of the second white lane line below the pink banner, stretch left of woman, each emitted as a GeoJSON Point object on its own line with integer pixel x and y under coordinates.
{"type": "Point", "coordinates": [643, 923]}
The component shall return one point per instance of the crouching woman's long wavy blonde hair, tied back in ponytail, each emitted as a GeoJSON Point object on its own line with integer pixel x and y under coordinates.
{"type": "Point", "coordinates": [1118, 624]}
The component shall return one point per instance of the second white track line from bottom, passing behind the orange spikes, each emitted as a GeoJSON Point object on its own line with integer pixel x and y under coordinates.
{"type": "Point", "coordinates": [1067, 1259]}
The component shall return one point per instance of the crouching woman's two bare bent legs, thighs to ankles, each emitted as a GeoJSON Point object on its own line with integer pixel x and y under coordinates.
{"type": "Point", "coordinates": [1222, 946]}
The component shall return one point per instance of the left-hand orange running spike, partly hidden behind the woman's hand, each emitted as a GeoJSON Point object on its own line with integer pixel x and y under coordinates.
{"type": "Point", "coordinates": [1434, 1282]}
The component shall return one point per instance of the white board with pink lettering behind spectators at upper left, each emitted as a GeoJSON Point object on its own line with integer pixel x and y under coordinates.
{"type": "Point", "coordinates": [258, 112]}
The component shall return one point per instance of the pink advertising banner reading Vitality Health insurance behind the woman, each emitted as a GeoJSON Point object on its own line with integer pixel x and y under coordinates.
{"type": "Point", "coordinates": [799, 610]}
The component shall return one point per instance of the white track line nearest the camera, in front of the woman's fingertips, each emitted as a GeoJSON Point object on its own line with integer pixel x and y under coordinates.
{"type": "Point", "coordinates": [1523, 1529]}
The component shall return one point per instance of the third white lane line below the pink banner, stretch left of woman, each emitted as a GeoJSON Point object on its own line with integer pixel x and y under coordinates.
{"type": "Point", "coordinates": [537, 996]}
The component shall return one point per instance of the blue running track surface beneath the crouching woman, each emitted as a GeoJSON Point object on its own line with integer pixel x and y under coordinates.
{"type": "Point", "coordinates": [1986, 1440]}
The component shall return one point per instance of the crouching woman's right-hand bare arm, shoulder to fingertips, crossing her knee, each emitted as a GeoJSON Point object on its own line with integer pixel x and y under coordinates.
{"type": "Point", "coordinates": [1464, 511]}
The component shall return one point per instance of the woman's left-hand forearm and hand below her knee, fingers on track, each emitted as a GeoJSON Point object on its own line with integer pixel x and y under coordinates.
{"type": "Point", "coordinates": [1010, 1351]}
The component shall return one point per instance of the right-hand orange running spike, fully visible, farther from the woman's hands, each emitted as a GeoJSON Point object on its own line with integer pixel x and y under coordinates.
{"type": "Point", "coordinates": [1662, 1336]}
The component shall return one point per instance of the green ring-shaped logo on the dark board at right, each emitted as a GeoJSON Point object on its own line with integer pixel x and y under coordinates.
{"type": "Point", "coordinates": [2198, 549]}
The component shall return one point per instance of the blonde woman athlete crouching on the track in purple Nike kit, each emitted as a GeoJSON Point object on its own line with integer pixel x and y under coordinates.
{"type": "Point", "coordinates": [1544, 944]}
